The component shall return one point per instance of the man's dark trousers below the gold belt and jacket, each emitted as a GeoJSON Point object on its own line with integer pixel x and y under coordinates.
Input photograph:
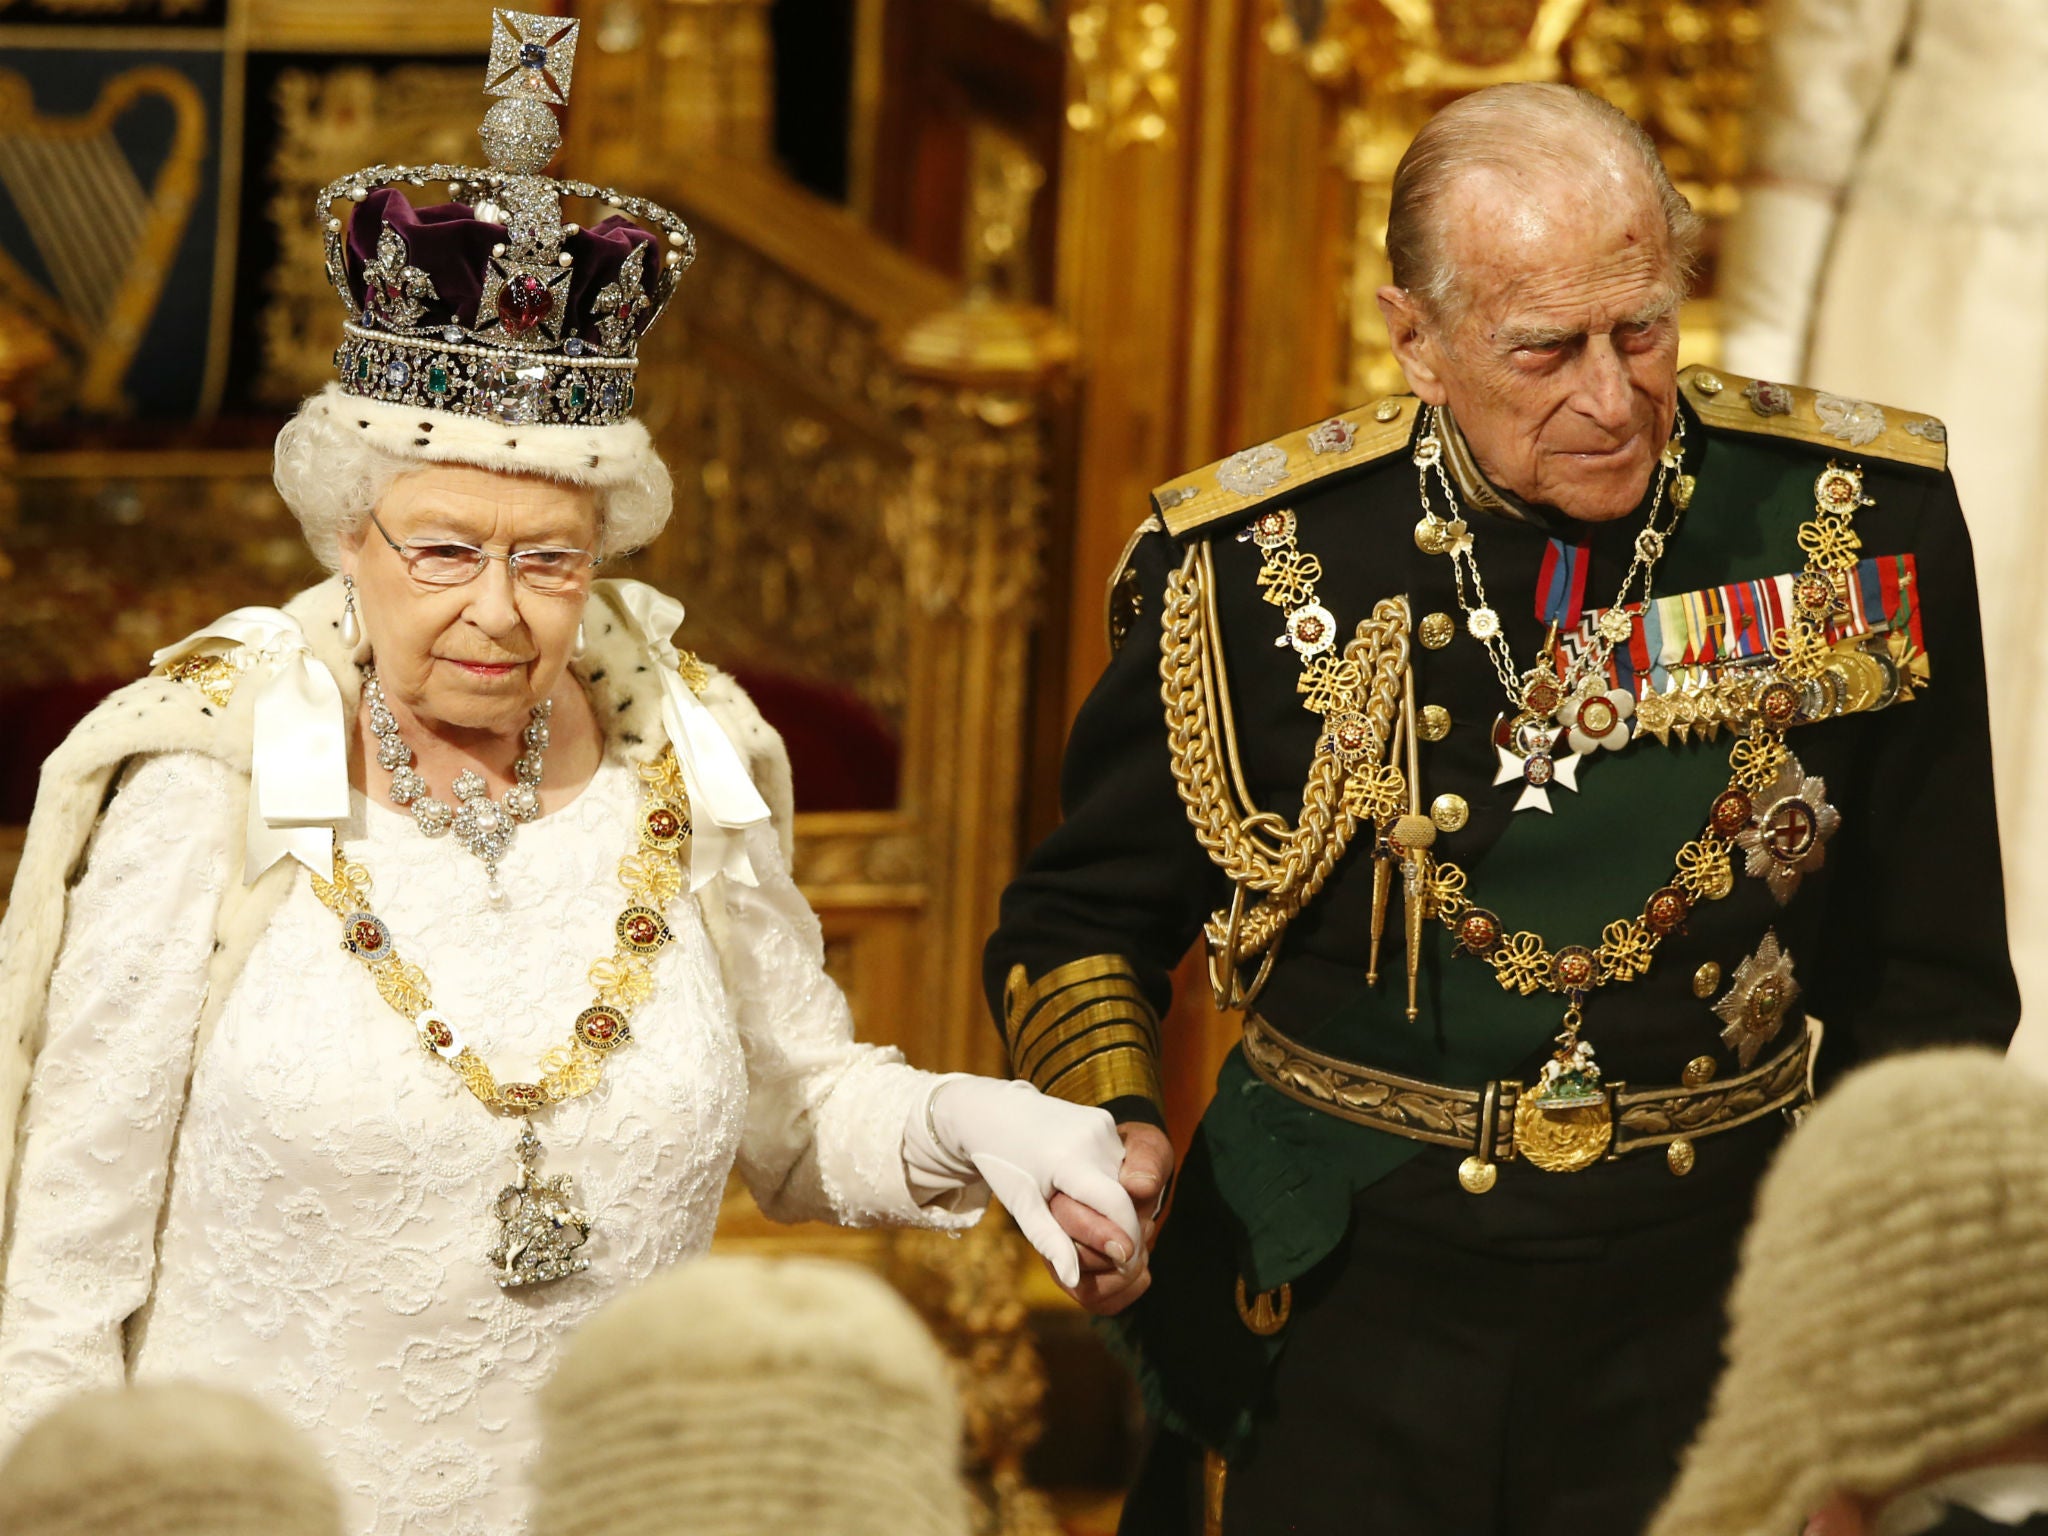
{"type": "Point", "coordinates": [1453, 1377]}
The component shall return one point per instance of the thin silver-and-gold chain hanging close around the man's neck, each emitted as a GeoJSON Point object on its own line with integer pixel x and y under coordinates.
{"type": "Point", "coordinates": [1539, 693]}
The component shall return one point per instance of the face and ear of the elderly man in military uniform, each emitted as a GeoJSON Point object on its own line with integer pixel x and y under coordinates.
{"type": "Point", "coordinates": [1562, 366]}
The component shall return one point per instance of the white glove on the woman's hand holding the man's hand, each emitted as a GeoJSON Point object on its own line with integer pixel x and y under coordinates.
{"type": "Point", "coordinates": [1027, 1146]}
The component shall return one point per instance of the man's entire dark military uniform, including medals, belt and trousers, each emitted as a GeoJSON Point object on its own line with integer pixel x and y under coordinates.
{"type": "Point", "coordinates": [1371, 1299]}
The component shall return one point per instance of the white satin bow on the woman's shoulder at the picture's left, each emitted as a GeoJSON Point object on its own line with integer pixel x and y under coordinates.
{"type": "Point", "coordinates": [300, 753]}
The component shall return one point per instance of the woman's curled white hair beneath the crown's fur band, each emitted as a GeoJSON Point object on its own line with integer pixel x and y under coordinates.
{"type": "Point", "coordinates": [333, 480]}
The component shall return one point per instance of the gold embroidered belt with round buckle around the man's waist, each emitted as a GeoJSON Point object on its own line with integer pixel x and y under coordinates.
{"type": "Point", "coordinates": [1500, 1123]}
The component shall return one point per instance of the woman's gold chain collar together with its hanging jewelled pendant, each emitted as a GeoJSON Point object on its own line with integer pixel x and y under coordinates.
{"type": "Point", "coordinates": [540, 1224]}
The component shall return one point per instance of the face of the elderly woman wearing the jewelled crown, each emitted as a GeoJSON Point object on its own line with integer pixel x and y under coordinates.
{"type": "Point", "coordinates": [474, 656]}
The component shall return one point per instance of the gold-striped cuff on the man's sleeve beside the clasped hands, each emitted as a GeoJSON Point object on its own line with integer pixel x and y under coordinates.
{"type": "Point", "coordinates": [1084, 1031]}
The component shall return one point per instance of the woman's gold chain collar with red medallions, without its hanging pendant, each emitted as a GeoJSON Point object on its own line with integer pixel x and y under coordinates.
{"type": "Point", "coordinates": [622, 982]}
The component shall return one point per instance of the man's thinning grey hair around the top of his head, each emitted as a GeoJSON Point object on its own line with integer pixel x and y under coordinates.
{"type": "Point", "coordinates": [1517, 132]}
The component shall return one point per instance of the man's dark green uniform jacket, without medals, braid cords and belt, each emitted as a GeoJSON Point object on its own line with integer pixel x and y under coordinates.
{"type": "Point", "coordinates": [1897, 941]}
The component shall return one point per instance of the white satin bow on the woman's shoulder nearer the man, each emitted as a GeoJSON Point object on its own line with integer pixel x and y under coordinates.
{"type": "Point", "coordinates": [724, 802]}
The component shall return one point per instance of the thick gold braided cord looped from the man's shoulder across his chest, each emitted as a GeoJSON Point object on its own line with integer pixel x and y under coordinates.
{"type": "Point", "coordinates": [1349, 783]}
